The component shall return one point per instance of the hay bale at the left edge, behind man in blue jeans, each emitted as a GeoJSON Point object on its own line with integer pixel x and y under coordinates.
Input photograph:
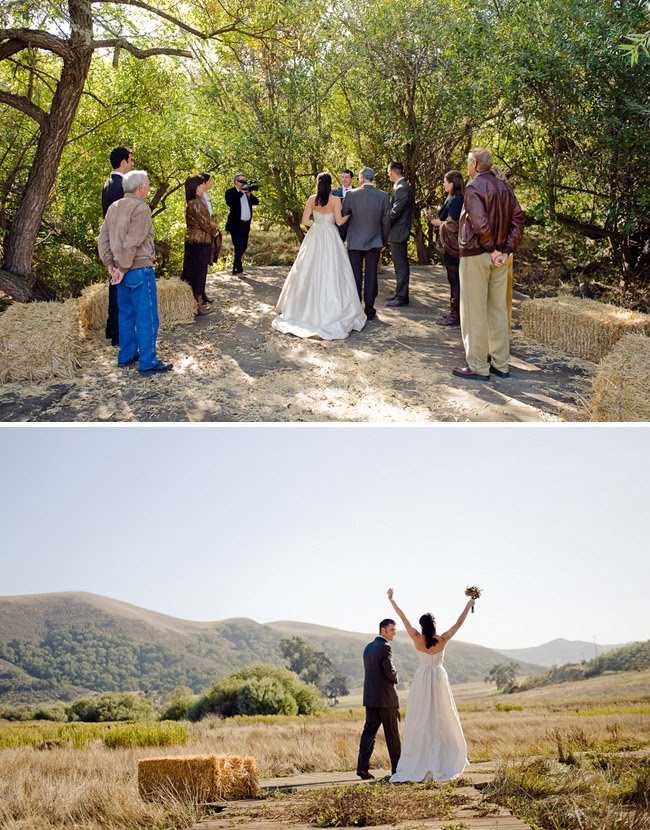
{"type": "Point", "coordinates": [39, 341]}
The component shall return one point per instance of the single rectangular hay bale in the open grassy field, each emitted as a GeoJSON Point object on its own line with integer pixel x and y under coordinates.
{"type": "Point", "coordinates": [198, 778]}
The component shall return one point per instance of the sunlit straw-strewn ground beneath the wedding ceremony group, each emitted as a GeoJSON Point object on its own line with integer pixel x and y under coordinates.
{"type": "Point", "coordinates": [232, 366]}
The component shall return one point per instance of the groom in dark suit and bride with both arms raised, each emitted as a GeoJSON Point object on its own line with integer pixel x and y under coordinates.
{"type": "Point", "coordinates": [434, 747]}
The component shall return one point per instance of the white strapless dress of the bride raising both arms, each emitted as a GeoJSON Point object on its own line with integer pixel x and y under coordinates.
{"type": "Point", "coordinates": [433, 744]}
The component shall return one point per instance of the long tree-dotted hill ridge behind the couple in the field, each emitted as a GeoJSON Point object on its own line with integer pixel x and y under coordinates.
{"type": "Point", "coordinates": [66, 644]}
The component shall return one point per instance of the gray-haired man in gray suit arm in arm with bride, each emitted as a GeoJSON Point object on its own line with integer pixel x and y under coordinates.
{"type": "Point", "coordinates": [368, 226]}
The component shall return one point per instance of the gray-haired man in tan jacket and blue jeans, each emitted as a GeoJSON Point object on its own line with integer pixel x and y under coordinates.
{"type": "Point", "coordinates": [126, 248]}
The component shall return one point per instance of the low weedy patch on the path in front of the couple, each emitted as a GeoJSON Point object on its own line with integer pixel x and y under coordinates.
{"type": "Point", "coordinates": [367, 805]}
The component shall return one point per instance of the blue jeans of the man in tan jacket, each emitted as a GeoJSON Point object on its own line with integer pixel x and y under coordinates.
{"type": "Point", "coordinates": [138, 316]}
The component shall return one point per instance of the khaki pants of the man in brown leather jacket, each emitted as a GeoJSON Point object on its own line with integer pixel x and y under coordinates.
{"type": "Point", "coordinates": [484, 313]}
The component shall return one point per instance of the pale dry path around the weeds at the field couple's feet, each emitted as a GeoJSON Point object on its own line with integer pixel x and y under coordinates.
{"type": "Point", "coordinates": [474, 814]}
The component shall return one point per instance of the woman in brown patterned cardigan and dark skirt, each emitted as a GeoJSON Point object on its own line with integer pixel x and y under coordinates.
{"type": "Point", "coordinates": [199, 240]}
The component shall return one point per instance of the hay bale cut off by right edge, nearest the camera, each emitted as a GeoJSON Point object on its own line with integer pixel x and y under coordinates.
{"type": "Point", "coordinates": [621, 389]}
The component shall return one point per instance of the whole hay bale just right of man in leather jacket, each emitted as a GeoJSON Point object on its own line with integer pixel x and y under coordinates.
{"type": "Point", "coordinates": [583, 328]}
